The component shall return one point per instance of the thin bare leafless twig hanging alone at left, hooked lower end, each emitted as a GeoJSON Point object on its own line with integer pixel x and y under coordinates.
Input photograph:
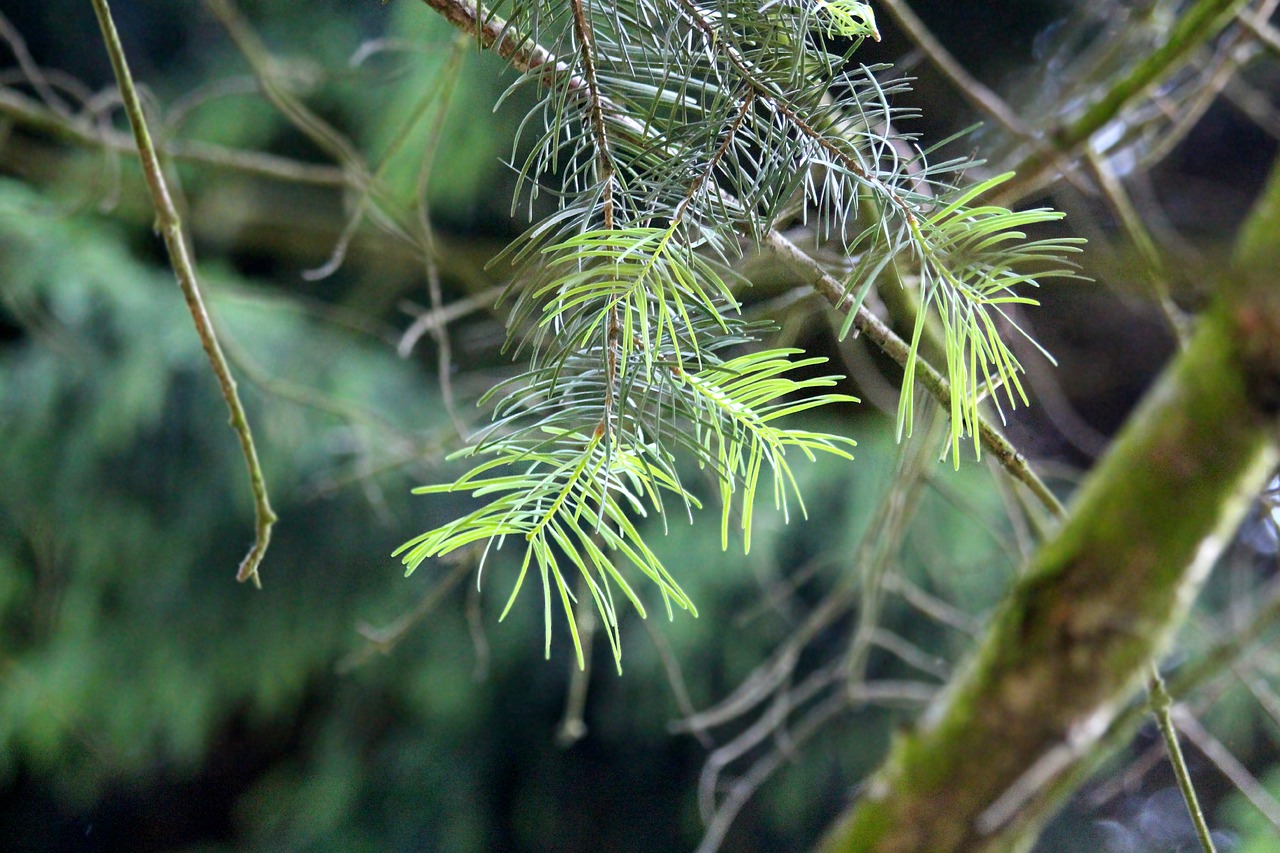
{"type": "Point", "coordinates": [170, 226]}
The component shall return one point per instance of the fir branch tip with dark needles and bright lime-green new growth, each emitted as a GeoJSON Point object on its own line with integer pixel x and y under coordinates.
{"type": "Point", "coordinates": [674, 134]}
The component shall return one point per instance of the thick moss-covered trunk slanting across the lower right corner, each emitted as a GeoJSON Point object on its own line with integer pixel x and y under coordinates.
{"type": "Point", "coordinates": [998, 754]}
